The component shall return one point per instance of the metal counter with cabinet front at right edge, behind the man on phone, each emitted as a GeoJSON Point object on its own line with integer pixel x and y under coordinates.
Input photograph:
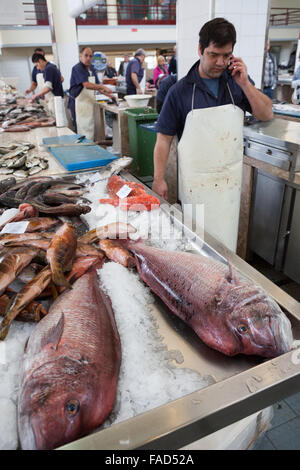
{"type": "Point", "coordinates": [274, 229]}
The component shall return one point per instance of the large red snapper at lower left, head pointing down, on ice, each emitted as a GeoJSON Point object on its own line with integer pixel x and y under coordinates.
{"type": "Point", "coordinates": [71, 368]}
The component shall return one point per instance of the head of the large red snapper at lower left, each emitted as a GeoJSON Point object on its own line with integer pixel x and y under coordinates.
{"type": "Point", "coordinates": [57, 404]}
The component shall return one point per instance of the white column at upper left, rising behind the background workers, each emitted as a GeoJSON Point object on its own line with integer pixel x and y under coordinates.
{"type": "Point", "coordinates": [64, 38]}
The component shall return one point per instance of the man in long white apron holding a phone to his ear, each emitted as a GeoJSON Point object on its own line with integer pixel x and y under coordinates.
{"type": "Point", "coordinates": [205, 110]}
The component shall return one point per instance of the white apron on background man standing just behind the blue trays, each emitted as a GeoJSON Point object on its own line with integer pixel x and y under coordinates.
{"type": "Point", "coordinates": [84, 111]}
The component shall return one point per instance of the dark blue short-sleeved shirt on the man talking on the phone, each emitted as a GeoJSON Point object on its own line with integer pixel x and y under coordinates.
{"type": "Point", "coordinates": [178, 102]}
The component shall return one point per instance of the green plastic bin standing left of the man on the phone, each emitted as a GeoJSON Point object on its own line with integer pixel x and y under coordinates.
{"type": "Point", "coordinates": [141, 140]}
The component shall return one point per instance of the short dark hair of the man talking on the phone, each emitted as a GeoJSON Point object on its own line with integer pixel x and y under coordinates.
{"type": "Point", "coordinates": [218, 31]}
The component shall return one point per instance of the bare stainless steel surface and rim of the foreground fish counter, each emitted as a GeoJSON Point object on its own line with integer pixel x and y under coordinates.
{"type": "Point", "coordinates": [241, 385]}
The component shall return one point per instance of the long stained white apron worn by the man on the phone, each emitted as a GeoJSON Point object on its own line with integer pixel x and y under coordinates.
{"type": "Point", "coordinates": [210, 159]}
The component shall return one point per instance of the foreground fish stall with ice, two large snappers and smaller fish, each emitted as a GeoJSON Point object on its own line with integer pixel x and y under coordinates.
{"type": "Point", "coordinates": [172, 379]}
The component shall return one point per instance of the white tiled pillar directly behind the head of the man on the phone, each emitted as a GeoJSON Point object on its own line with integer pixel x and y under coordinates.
{"type": "Point", "coordinates": [249, 18]}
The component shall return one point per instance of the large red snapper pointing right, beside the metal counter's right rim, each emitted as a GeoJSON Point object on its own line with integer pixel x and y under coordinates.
{"type": "Point", "coordinates": [229, 314]}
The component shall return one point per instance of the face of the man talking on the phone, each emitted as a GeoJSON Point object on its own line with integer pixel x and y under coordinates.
{"type": "Point", "coordinates": [214, 60]}
